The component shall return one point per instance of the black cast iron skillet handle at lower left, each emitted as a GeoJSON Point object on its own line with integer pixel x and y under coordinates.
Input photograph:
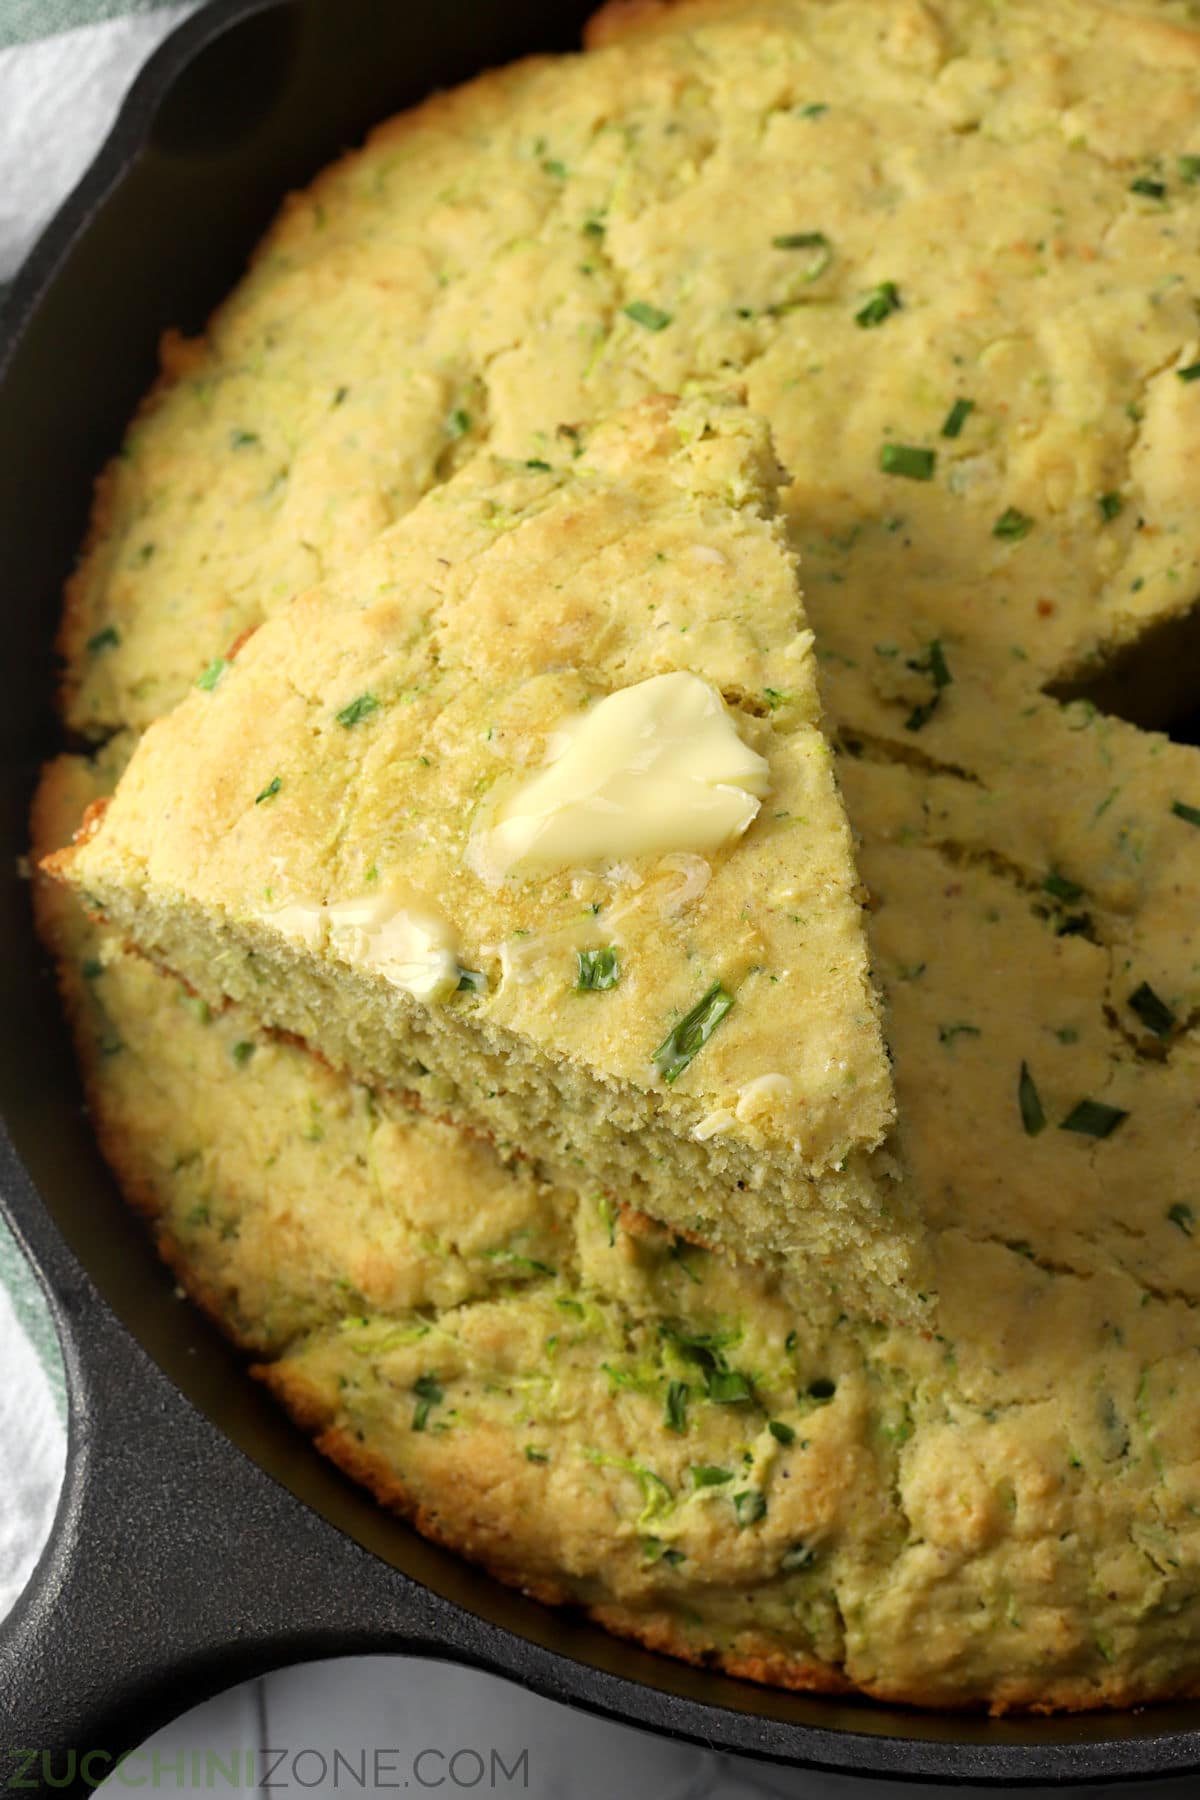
{"type": "Point", "coordinates": [175, 1570]}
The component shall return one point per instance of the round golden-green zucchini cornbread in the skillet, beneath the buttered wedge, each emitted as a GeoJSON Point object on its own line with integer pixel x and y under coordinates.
{"type": "Point", "coordinates": [949, 251]}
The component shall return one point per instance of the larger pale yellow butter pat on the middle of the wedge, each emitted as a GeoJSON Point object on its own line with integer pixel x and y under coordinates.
{"type": "Point", "coordinates": [656, 768]}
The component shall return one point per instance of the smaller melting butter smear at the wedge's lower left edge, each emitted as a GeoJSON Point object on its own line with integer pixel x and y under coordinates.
{"type": "Point", "coordinates": [395, 930]}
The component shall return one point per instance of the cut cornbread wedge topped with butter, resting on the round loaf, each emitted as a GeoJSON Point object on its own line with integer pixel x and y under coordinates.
{"type": "Point", "coordinates": [532, 814]}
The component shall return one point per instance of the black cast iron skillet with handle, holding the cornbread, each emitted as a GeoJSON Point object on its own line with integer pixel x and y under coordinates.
{"type": "Point", "coordinates": [201, 1540]}
